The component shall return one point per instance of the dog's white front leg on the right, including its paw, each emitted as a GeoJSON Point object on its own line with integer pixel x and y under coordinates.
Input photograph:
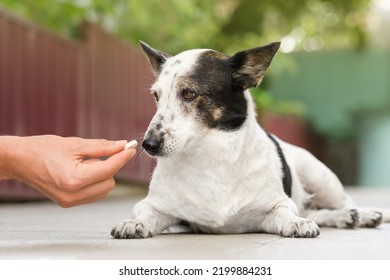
{"type": "Point", "coordinates": [283, 221]}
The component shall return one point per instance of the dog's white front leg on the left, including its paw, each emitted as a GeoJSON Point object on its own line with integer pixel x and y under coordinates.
{"type": "Point", "coordinates": [146, 222]}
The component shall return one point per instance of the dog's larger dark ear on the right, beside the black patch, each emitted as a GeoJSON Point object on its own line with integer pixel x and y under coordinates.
{"type": "Point", "coordinates": [248, 66]}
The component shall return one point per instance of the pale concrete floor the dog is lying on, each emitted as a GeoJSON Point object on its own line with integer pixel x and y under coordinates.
{"type": "Point", "coordinates": [42, 230]}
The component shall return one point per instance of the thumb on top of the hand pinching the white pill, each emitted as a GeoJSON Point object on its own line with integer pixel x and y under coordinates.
{"type": "Point", "coordinates": [94, 148]}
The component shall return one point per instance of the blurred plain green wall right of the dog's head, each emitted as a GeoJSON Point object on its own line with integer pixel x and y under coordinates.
{"type": "Point", "coordinates": [336, 86]}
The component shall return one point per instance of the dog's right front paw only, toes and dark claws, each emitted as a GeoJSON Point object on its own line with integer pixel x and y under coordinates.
{"type": "Point", "coordinates": [300, 228]}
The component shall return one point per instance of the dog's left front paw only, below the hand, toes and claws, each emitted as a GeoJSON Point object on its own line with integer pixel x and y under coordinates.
{"type": "Point", "coordinates": [131, 229]}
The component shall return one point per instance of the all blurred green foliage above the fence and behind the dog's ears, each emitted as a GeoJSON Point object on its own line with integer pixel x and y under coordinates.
{"type": "Point", "coordinates": [224, 25]}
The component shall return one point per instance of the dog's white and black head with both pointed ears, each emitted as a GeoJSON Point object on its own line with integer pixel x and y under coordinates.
{"type": "Point", "coordinates": [200, 90]}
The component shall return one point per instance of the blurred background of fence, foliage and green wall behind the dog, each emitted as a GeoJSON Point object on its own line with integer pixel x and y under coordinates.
{"type": "Point", "coordinates": [74, 68]}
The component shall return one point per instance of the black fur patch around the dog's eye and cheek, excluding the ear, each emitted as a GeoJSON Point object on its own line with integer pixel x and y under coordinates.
{"type": "Point", "coordinates": [219, 104]}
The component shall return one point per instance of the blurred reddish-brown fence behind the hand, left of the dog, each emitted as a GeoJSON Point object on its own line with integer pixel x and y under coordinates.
{"type": "Point", "coordinates": [95, 88]}
